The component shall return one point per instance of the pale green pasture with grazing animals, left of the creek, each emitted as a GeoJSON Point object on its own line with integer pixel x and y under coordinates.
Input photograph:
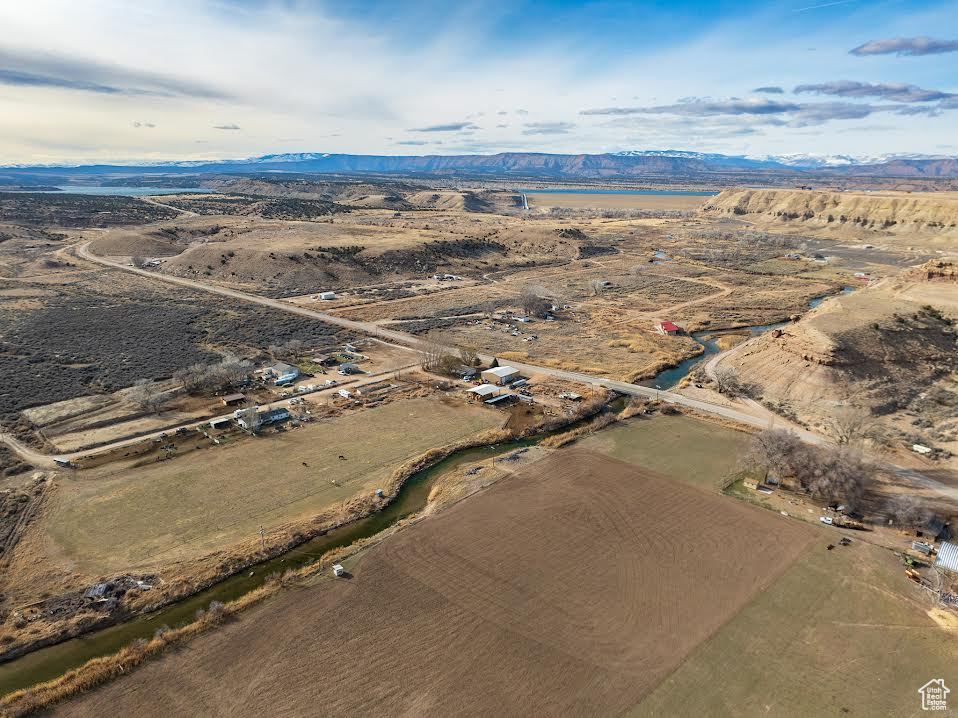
{"type": "Point", "coordinates": [206, 500]}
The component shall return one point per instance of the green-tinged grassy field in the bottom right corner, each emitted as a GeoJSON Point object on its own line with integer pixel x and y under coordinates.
{"type": "Point", "coordinates": [840, 633]}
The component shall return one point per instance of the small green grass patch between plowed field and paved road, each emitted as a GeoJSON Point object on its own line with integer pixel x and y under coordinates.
{"type": "Point", "coordinates": [700, 453]}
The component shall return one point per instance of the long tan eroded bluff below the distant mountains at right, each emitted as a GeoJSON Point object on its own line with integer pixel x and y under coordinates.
{"type": "Point", "coordinates": [844, 213]}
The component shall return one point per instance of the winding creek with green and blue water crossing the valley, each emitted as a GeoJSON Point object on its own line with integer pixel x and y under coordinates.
{"type": "Point", "coordinates": [50, 662]}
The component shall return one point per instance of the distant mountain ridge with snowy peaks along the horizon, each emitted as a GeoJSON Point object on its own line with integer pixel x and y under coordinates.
{"type": "Point", "coordinates": [625, 165]}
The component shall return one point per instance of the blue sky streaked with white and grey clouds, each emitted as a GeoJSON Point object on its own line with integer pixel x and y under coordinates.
{"type": "Point", "coordinates": [110, 80]}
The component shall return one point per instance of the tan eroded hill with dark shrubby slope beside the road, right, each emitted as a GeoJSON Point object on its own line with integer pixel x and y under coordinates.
{"type": "Point", "coordinates": [878, 349]}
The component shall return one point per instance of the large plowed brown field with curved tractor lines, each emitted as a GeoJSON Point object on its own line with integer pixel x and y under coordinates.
{"type": "Point", "coordinates": [572, 588]}
